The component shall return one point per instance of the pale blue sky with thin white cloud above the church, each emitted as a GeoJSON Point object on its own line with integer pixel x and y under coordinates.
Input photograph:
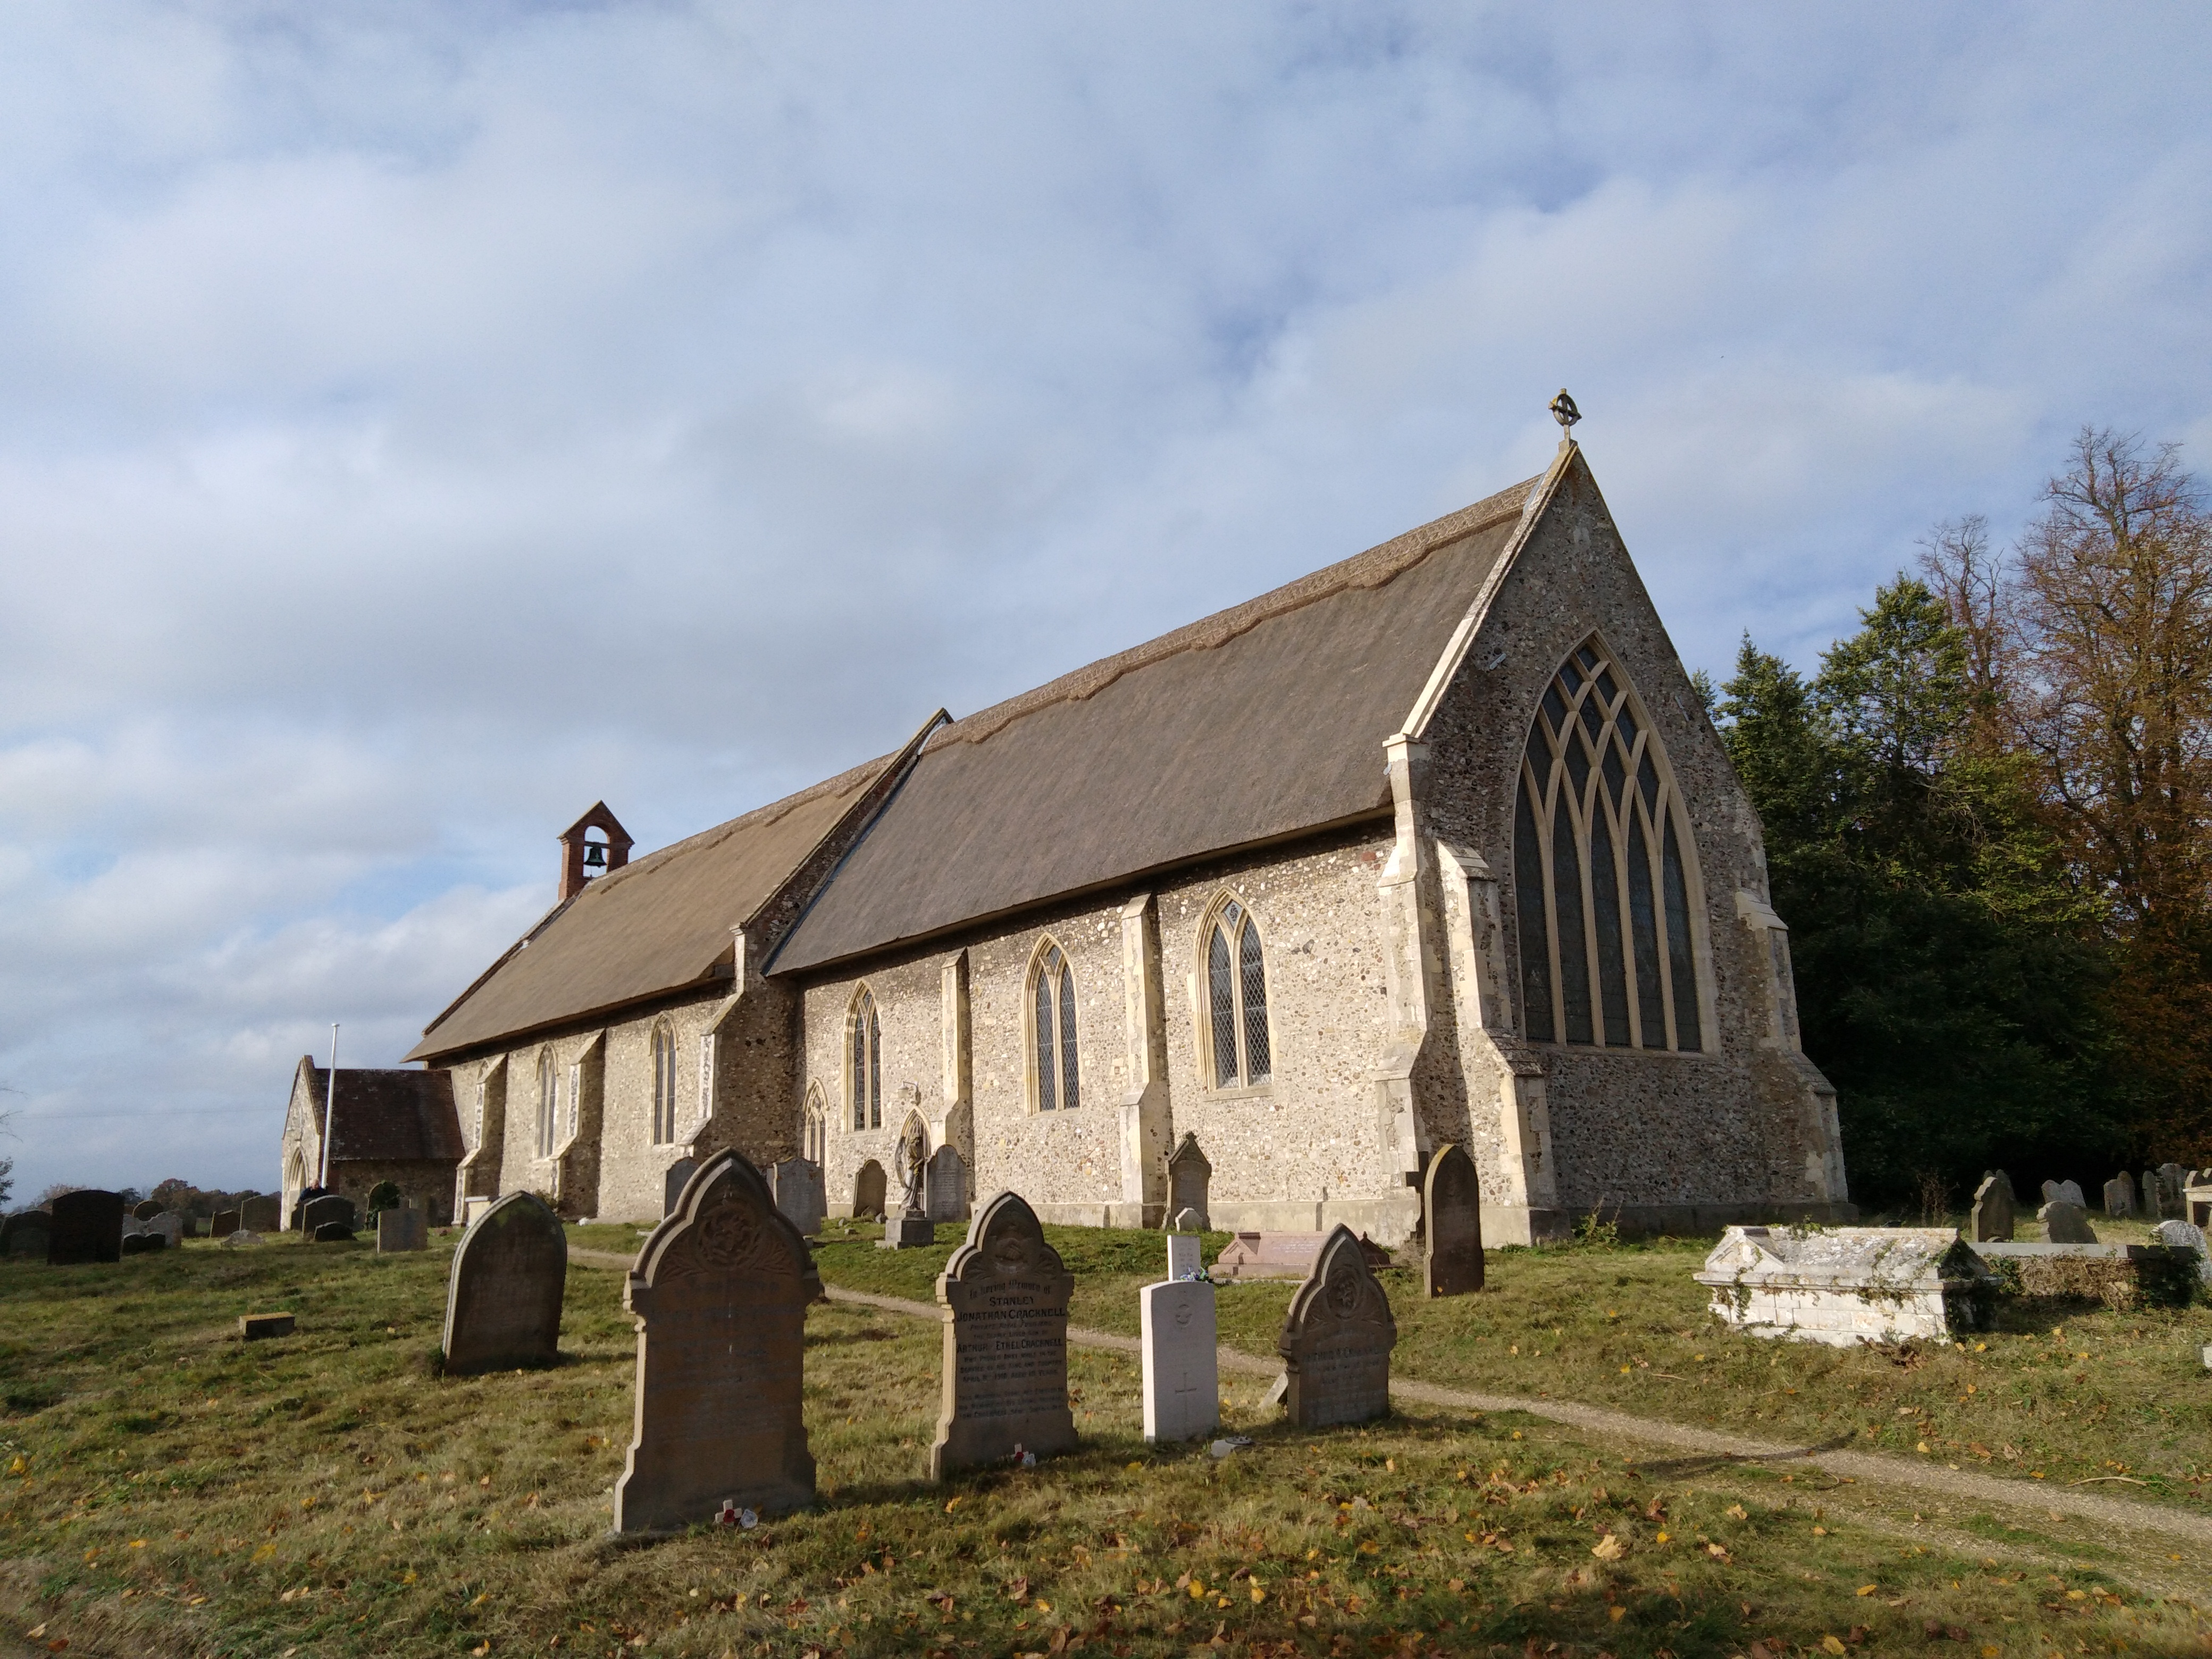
{"type": "Point", "coordinates": [424, 421]}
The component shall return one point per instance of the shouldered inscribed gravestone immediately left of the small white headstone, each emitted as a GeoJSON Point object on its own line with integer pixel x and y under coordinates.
{"type": "Point", "coordinates": [1005, 1297]}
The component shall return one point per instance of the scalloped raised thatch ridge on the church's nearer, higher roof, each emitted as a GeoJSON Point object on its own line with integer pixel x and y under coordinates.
{"type": "Point", "coordinates": [1370, 570]}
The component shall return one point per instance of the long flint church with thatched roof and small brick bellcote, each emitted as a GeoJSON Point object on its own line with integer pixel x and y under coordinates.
{"type": "Point", "coordinates": [1430, 846]}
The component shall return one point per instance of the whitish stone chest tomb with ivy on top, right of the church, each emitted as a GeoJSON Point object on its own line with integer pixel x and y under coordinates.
{"type": "Point", "coordinates": [1850, 1284]}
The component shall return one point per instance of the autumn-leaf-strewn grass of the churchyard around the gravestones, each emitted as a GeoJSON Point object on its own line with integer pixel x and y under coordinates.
{"type": "Point", "coordinates": [169, 1490]}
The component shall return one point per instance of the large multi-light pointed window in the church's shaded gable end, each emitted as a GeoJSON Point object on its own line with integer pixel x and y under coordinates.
{"type": "Point", "coordinates": [1603, 870]}
